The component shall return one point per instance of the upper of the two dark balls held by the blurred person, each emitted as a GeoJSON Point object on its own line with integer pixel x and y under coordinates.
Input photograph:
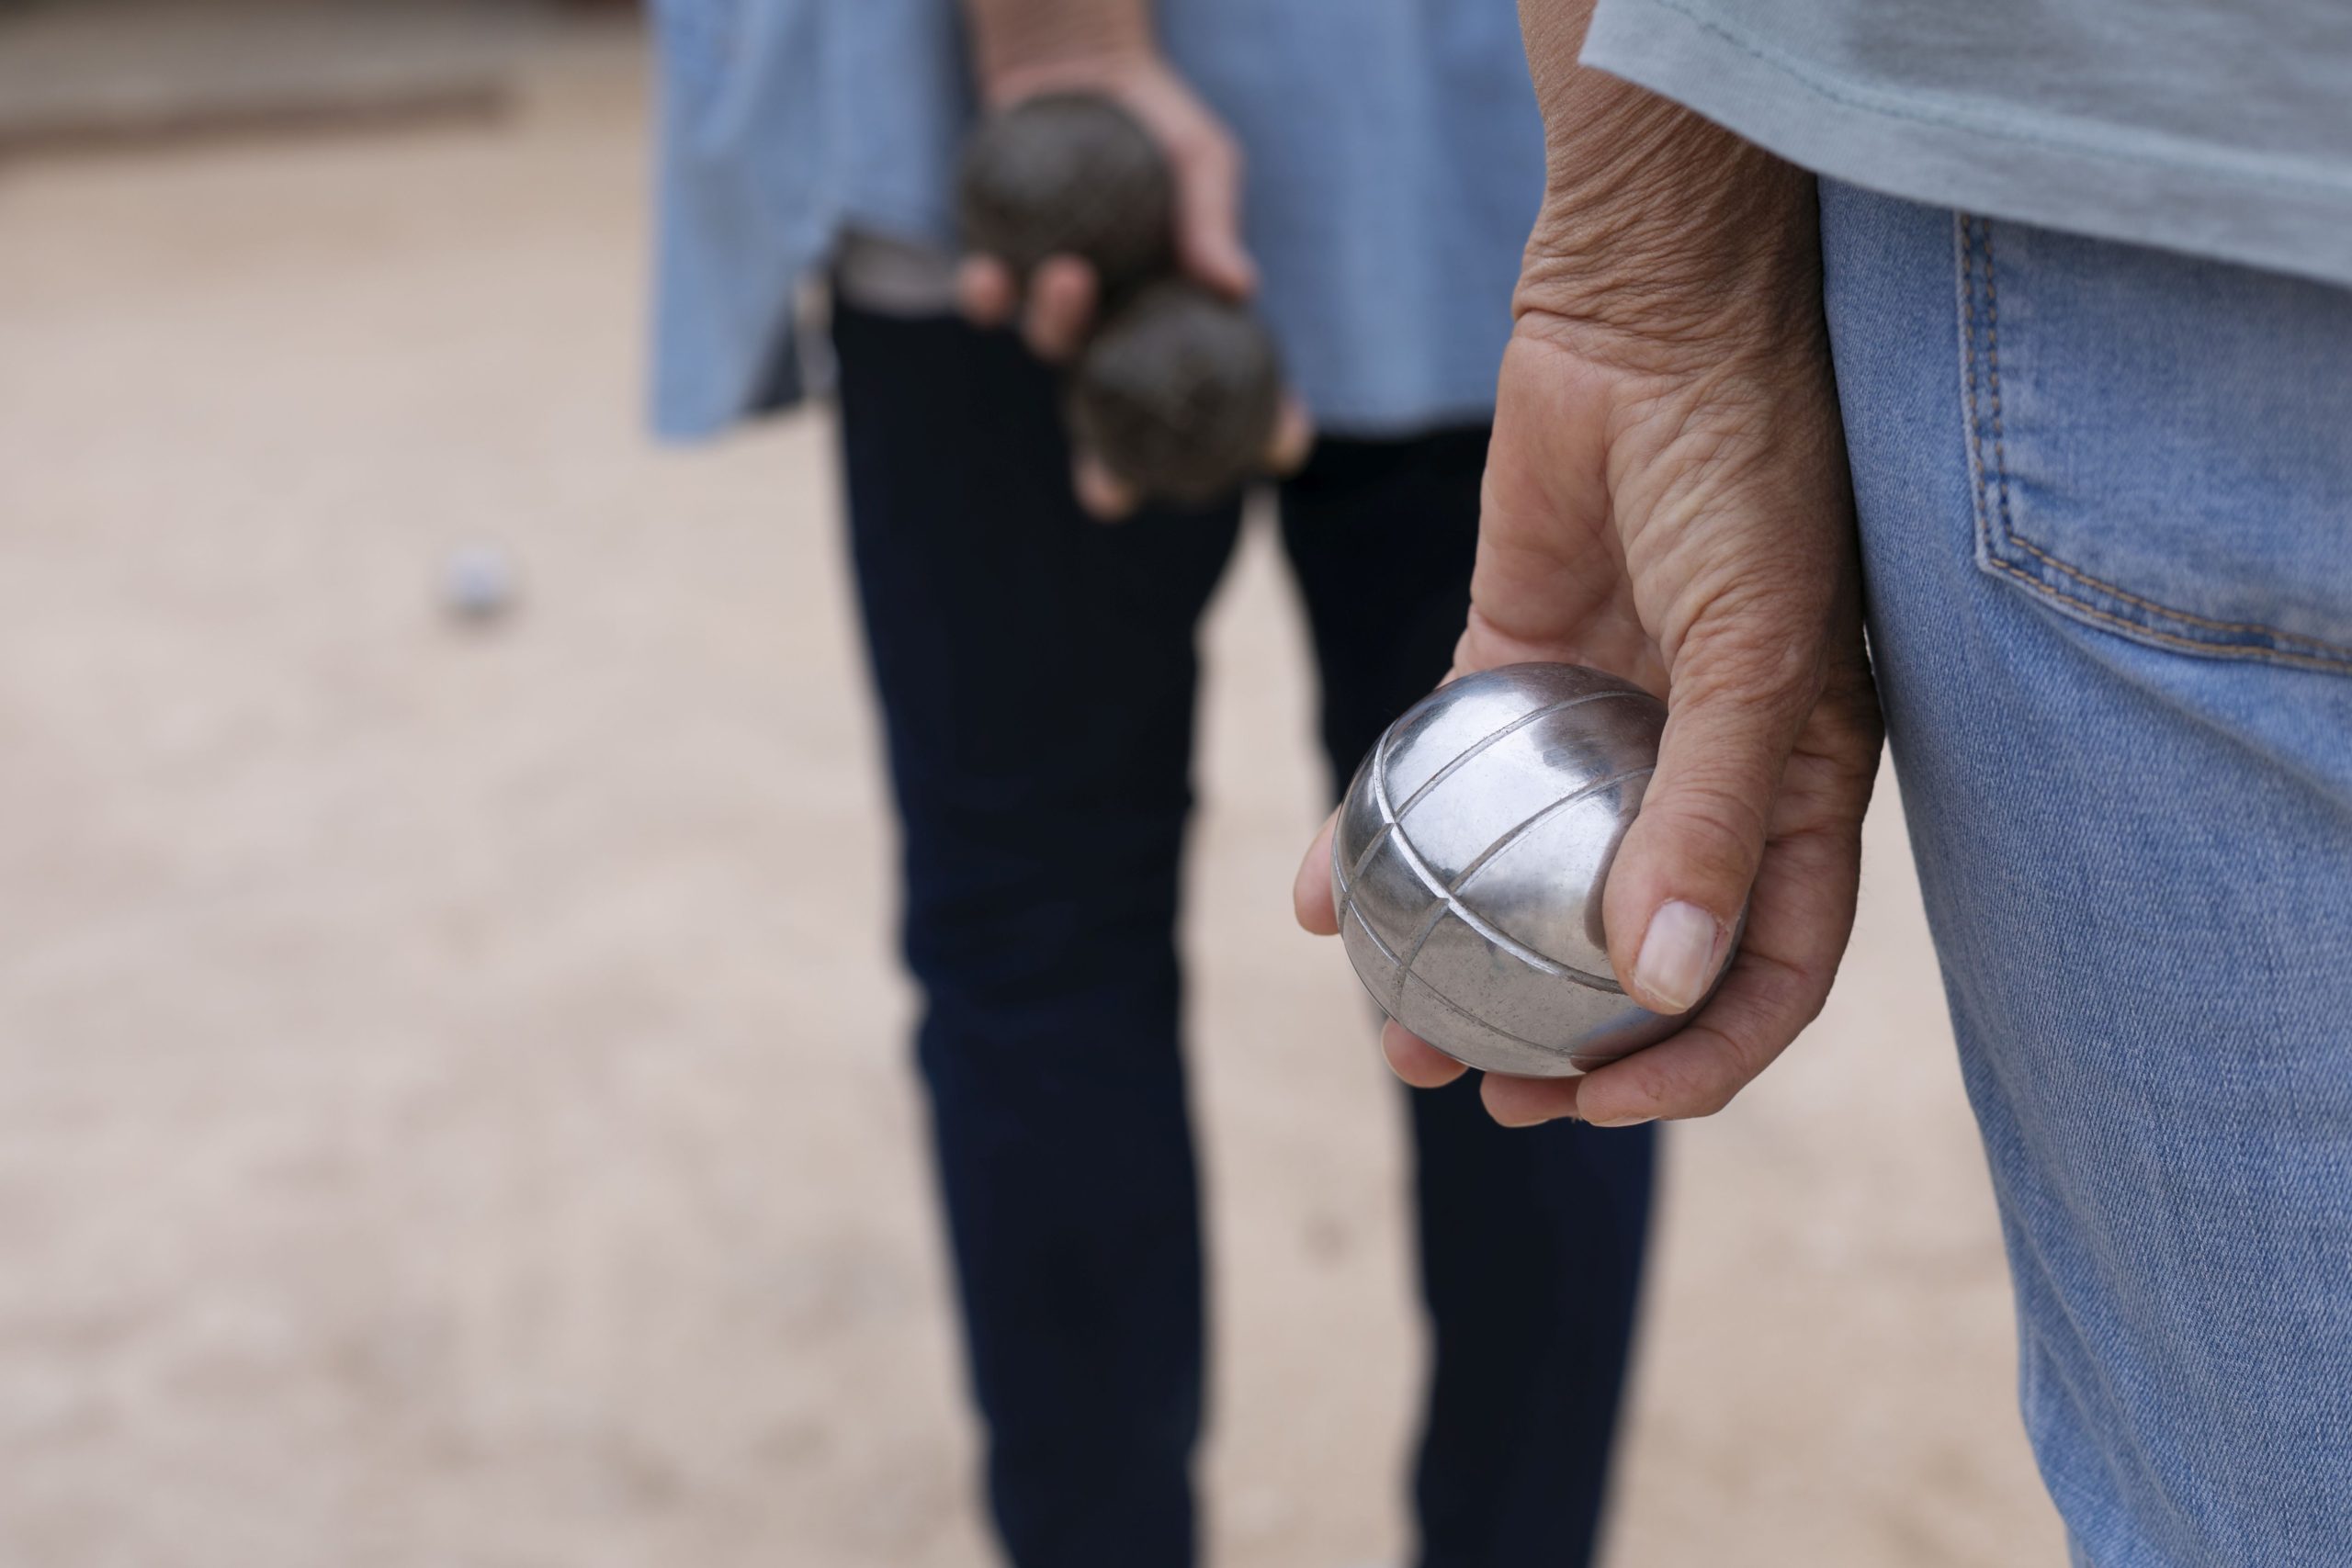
{"type": "Point", "coordinates": [1069, 173]}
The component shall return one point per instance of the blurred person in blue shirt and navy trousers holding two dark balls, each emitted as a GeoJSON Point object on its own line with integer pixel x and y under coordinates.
{"type": "Point", "coordinates": [1368, 170]}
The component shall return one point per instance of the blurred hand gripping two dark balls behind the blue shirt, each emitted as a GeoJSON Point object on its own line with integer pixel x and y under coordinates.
{"type": "Point", "coordinates": [1031, 48]}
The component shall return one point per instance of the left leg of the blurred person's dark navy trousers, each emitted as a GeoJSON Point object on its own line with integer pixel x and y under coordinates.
{"type": "Point", "coordinates": [1036, 676]}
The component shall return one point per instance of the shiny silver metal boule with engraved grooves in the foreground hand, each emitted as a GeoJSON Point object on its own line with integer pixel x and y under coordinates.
{"type": "Point", "coordinates": [1471, 859]}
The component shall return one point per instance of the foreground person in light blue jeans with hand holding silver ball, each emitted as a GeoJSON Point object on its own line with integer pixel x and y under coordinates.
{"type": "Point", "coordinates": [2036, 321]}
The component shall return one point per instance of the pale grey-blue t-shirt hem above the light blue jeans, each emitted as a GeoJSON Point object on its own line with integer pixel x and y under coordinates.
{"type": "Point", "coordinates": [2200, 126]}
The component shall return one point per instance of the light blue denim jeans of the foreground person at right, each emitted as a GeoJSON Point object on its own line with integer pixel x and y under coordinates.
{"type": "Point", "coordinates": [2106, 504]}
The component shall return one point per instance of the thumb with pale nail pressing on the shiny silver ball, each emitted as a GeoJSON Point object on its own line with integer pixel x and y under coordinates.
{"type": "Point", "coordinates": [1681, 878]}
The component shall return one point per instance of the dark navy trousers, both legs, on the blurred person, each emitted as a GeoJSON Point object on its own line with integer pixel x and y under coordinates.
{"type": "Point", "coordinates": [1036, 676]}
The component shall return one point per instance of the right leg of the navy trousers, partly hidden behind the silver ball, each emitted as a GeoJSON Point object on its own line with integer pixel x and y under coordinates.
{"type": "Point", "coordinates": [1530, 1240]}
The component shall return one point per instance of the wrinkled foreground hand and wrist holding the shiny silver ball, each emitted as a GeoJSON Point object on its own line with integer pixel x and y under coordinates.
{"type": "Point", "coordinates": [1666, 500]}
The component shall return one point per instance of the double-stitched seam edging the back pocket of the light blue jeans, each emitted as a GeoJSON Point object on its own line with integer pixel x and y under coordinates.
{"type": "Point", "coordinates": [1998, 518]}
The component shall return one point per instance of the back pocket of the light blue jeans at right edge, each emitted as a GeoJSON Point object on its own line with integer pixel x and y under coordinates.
{"type": "Point", "coordinates": [2163, 445]}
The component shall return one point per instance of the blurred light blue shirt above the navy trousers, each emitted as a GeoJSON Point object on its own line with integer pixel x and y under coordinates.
{"type": "Point", "coordinates": [1396, 163]}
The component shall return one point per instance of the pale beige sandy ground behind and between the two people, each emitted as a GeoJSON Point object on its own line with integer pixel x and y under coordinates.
{"type": "Point", "coordinates": [453, 1101]}
